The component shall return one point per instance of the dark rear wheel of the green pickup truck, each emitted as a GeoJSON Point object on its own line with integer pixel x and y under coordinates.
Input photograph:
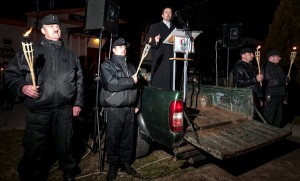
{"type": "Point", "coordinates": [142, 147]}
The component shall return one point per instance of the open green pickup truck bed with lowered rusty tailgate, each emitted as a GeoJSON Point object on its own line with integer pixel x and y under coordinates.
{"type": "Point", "coordinates": [218, 121]}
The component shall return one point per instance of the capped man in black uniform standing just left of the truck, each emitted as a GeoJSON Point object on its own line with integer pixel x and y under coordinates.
{"type": "Point", "coordinates": [120, 98]}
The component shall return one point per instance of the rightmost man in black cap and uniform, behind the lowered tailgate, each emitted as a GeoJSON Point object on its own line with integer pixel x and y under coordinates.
{"type": "Point", "coordinates": [275, 81]}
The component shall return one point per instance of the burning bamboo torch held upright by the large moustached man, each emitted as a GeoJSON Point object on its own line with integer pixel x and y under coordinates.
{"type": "Point", "coordinates": [28, 53]}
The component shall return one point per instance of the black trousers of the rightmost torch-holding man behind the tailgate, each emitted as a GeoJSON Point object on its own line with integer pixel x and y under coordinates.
{"type": "Point", "coordinates": [273, 111]}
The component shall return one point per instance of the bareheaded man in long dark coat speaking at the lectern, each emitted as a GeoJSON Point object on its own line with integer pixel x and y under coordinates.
{"type": "Point", "coordinates": [161, 66]}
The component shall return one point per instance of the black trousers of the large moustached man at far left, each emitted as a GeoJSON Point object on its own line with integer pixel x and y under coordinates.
{"type": "Point", "coordinates": [47, 137]}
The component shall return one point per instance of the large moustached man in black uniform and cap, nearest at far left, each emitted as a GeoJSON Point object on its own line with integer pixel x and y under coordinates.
{"type": "Point", "coordinates": [50, 105]}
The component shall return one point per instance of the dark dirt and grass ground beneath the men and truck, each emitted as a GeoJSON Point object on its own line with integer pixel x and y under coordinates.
{"type": "Point", "coordinates": [279, 161]}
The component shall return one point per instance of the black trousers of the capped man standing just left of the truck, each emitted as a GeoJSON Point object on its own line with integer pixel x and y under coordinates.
{"type": "Point", "coordinates": [119, 134]}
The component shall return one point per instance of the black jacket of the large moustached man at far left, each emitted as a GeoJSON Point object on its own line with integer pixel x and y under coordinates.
{"type": "Point", "coordinates": [57, 73]}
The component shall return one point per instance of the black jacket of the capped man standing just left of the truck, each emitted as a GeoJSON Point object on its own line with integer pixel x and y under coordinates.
{"type": "Point", "coordinates": [118, 87]}
